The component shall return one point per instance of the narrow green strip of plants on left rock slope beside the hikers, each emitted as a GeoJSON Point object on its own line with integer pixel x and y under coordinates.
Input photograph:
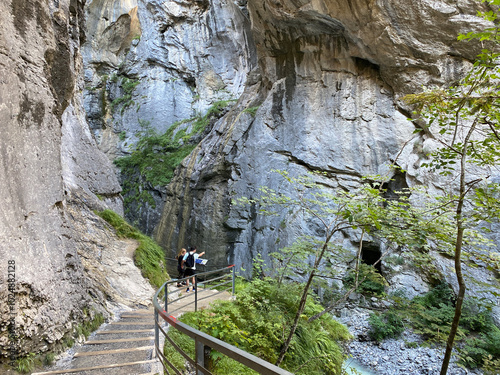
{"type": "Point", "coordinates": [149, 256]}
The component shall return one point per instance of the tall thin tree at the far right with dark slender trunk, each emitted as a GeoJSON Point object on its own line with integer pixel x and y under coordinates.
{"type": "Point", "coordinates": [465, 121]}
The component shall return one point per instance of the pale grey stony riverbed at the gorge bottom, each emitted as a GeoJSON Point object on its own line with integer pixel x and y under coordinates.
{"type": "Point", "coordinates": [393, 357]}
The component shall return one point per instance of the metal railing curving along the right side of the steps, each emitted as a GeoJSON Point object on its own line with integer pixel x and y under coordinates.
{"type": "Point", "coordinates": [221, 280]}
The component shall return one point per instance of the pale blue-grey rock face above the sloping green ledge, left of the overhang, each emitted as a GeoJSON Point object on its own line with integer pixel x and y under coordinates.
{"type": "Point", "coordinates": [180, 56]}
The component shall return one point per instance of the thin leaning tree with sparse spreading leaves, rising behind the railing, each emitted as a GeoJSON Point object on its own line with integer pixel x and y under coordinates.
{"type": "Point", "coordinates": [364, 208]}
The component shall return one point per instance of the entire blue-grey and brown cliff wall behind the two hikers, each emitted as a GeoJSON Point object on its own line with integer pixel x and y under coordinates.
{"type": "Point", "coordinates": [316, 87]}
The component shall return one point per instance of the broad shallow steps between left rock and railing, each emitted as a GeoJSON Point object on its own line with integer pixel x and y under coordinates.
{"type": "Point", "coordinates": [122, 347]}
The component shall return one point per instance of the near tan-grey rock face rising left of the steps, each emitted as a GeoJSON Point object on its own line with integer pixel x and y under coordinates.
{"type": "Point", "coordinates": [51, 174]}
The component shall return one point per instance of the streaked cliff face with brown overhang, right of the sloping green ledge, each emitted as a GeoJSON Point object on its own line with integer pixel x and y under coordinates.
{"type": "Point", "coordinates": [324, 97]}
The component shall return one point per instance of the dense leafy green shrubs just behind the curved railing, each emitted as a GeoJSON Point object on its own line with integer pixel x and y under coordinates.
{"type": "Point", "coordinates": [256, 322]}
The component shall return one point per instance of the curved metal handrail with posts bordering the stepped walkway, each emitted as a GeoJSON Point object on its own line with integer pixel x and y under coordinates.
{"type": "Point", "coordinates": [202, 340]}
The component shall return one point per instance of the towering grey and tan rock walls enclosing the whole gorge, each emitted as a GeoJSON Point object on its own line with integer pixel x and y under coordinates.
{"type": "Point", "coordinates": [167, 111]}
